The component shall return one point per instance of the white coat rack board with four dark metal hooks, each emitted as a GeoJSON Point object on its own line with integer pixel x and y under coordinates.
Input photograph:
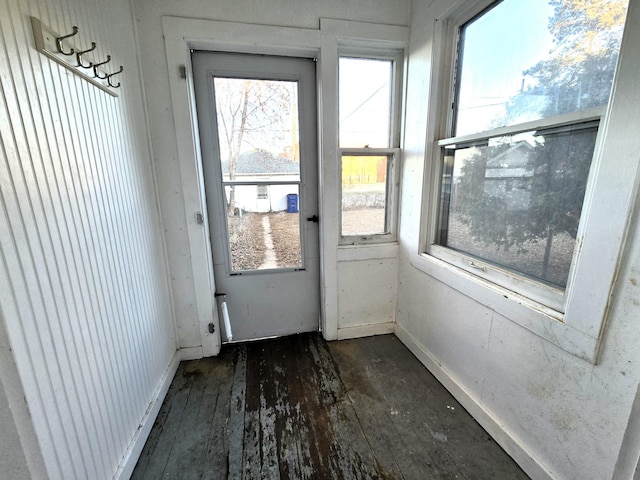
{"type": "Point", "coordinates": [80, 61]}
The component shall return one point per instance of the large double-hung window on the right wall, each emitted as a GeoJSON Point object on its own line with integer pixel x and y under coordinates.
{"type": "Point", "coordinates": [514, 168]}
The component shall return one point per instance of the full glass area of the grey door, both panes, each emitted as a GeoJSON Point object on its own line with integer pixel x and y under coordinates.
{"type": "Point", "coordinates": [260, 161]}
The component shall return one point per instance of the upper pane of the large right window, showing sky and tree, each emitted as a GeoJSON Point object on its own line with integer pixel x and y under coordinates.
{"type": "Point", "coordinates": [529, 59]}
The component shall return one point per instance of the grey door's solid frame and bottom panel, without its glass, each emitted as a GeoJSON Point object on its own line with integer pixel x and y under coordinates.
{"type": "Point", "coordinates": [262, 310]}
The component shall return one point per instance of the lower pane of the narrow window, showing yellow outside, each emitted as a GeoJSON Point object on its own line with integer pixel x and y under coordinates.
{"type": "Point", "coordinates": [364, 195]}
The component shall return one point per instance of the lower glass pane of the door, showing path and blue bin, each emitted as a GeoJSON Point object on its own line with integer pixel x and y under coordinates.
{"type": "Point", "coordinates": [264, 227]}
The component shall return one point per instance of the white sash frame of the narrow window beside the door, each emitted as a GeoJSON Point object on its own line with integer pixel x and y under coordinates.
{"type": "Point", "coordinates": [392, 152]}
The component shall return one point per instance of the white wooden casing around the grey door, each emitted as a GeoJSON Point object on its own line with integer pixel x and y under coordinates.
{"type": "Point", "coordinates": [181, 36]}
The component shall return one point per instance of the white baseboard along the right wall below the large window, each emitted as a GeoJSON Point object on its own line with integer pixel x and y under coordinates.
{"type": "Point", "coordinates": [512, 445]}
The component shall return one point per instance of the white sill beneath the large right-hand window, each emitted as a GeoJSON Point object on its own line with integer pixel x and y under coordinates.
{"type": "Point", "coordinates": [537, 318]}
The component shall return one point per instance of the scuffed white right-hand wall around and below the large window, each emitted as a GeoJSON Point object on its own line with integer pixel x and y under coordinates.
{"type": "Point", "coordinates": [559, 415]}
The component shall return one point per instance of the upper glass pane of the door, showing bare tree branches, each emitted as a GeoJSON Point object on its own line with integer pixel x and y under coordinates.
{"type": "Point", "coordinates": [257, 128]}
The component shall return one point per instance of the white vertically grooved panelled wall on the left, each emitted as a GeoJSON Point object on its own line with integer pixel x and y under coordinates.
{"type": "Point", "coordinates": [83, 286]}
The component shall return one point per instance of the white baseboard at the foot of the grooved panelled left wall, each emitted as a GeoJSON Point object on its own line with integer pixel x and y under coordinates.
{"type": "Point", "coordinates": [128, 463]}
